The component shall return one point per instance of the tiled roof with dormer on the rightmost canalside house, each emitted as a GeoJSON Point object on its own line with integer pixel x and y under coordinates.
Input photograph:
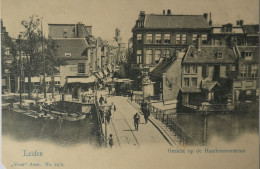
{"type": "Point", "coordinates": [253, 49]}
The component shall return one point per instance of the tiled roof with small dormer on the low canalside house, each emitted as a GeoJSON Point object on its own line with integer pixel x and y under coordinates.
{"type": "Point", "coordinates": [208, 54]}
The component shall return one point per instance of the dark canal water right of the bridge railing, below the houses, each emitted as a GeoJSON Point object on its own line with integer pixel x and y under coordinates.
{"type": "Point", "coordinates": [226, 127]}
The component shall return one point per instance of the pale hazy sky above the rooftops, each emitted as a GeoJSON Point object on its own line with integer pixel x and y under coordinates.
{"type": "Point", "coordinates": [107, 15]}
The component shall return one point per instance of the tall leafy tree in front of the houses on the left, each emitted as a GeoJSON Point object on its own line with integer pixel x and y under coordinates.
{"type": "Point", "coordinates": [31, 45]}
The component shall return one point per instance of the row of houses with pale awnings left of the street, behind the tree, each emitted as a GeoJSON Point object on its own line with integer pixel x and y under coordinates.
{"type": "Point", "coordinates": [86, 60]}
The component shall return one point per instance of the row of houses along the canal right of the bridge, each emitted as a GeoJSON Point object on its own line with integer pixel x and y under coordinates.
{"type": "Point", "coordinates": [191, 61]}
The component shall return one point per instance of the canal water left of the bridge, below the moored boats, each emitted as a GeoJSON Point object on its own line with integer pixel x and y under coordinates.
{"type": "Point", "coordinates": [24, 128]}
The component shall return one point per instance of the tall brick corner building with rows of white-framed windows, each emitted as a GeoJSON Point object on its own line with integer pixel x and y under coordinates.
{"type": "Point", "coordinates": [155, 36]}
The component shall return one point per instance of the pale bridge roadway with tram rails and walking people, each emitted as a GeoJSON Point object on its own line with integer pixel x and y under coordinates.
{"type": "Point", "coordinates": [122, 128]}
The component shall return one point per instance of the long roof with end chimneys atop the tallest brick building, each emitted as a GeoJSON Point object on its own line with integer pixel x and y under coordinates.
{"type": "Point", "coordinates": [175, 21]}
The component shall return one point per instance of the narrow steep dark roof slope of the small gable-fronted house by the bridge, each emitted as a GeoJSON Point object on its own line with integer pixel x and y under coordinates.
{"type": "Point", "coordinates": [161, 68]}
